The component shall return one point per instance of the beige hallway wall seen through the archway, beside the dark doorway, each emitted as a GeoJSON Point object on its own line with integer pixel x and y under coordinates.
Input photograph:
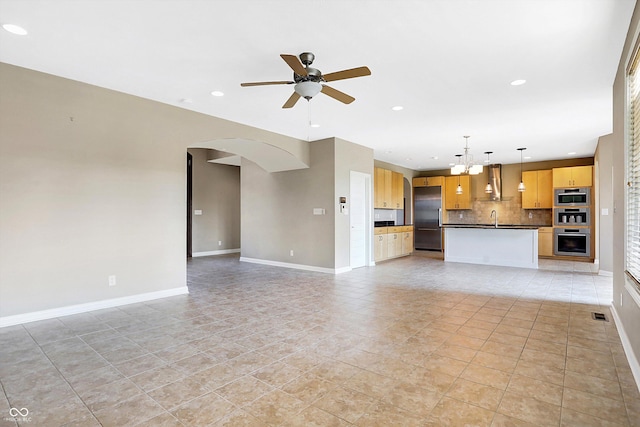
{"type": "Point", "coordinates": [216, 192]}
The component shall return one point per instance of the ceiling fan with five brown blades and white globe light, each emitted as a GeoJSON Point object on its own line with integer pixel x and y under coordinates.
{"type": "Point", "coordinates": [309, 80]}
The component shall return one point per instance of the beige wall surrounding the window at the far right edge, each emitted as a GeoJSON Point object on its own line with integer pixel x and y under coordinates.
{"type": "Point", "coordinates": [628, 311]}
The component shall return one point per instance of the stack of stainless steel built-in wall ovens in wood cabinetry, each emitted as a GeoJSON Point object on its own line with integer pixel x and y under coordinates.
{"type": "Point", "coordinates": [572, 222]}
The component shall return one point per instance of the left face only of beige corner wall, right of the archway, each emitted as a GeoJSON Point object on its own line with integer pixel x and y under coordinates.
{"type": "Point", "coordinates": [277, 211]}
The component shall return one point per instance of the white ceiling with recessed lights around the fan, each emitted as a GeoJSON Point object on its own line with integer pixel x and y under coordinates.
{"type": "Point", "coordinates": [447, 62]}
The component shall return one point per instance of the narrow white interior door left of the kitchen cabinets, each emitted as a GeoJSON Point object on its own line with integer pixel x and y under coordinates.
{"type": "Point", "coordinates": [358, 221]}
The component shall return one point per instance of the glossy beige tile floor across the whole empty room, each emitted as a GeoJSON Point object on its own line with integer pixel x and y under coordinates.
{"type": "Point", "coordinates": [413, 341]}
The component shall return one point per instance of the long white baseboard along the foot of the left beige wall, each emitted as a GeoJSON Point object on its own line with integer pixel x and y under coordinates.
{"type": "Point", "coordinates": [90, 306]}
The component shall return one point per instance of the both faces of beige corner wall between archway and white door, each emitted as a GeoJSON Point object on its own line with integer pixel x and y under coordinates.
{"type": "Point", "coordinates": [277, 209]}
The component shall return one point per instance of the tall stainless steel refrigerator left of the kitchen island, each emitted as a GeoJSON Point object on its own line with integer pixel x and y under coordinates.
{"type": "Point", "coordinates": [427, 214]}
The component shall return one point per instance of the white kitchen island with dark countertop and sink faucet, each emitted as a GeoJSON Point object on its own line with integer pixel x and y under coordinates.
{"type": "Point", "coordinates": [505, 245]}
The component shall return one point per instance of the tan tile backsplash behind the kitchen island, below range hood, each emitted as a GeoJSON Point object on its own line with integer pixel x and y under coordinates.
{"type": "Point", "coordinates": [509, 212]}
